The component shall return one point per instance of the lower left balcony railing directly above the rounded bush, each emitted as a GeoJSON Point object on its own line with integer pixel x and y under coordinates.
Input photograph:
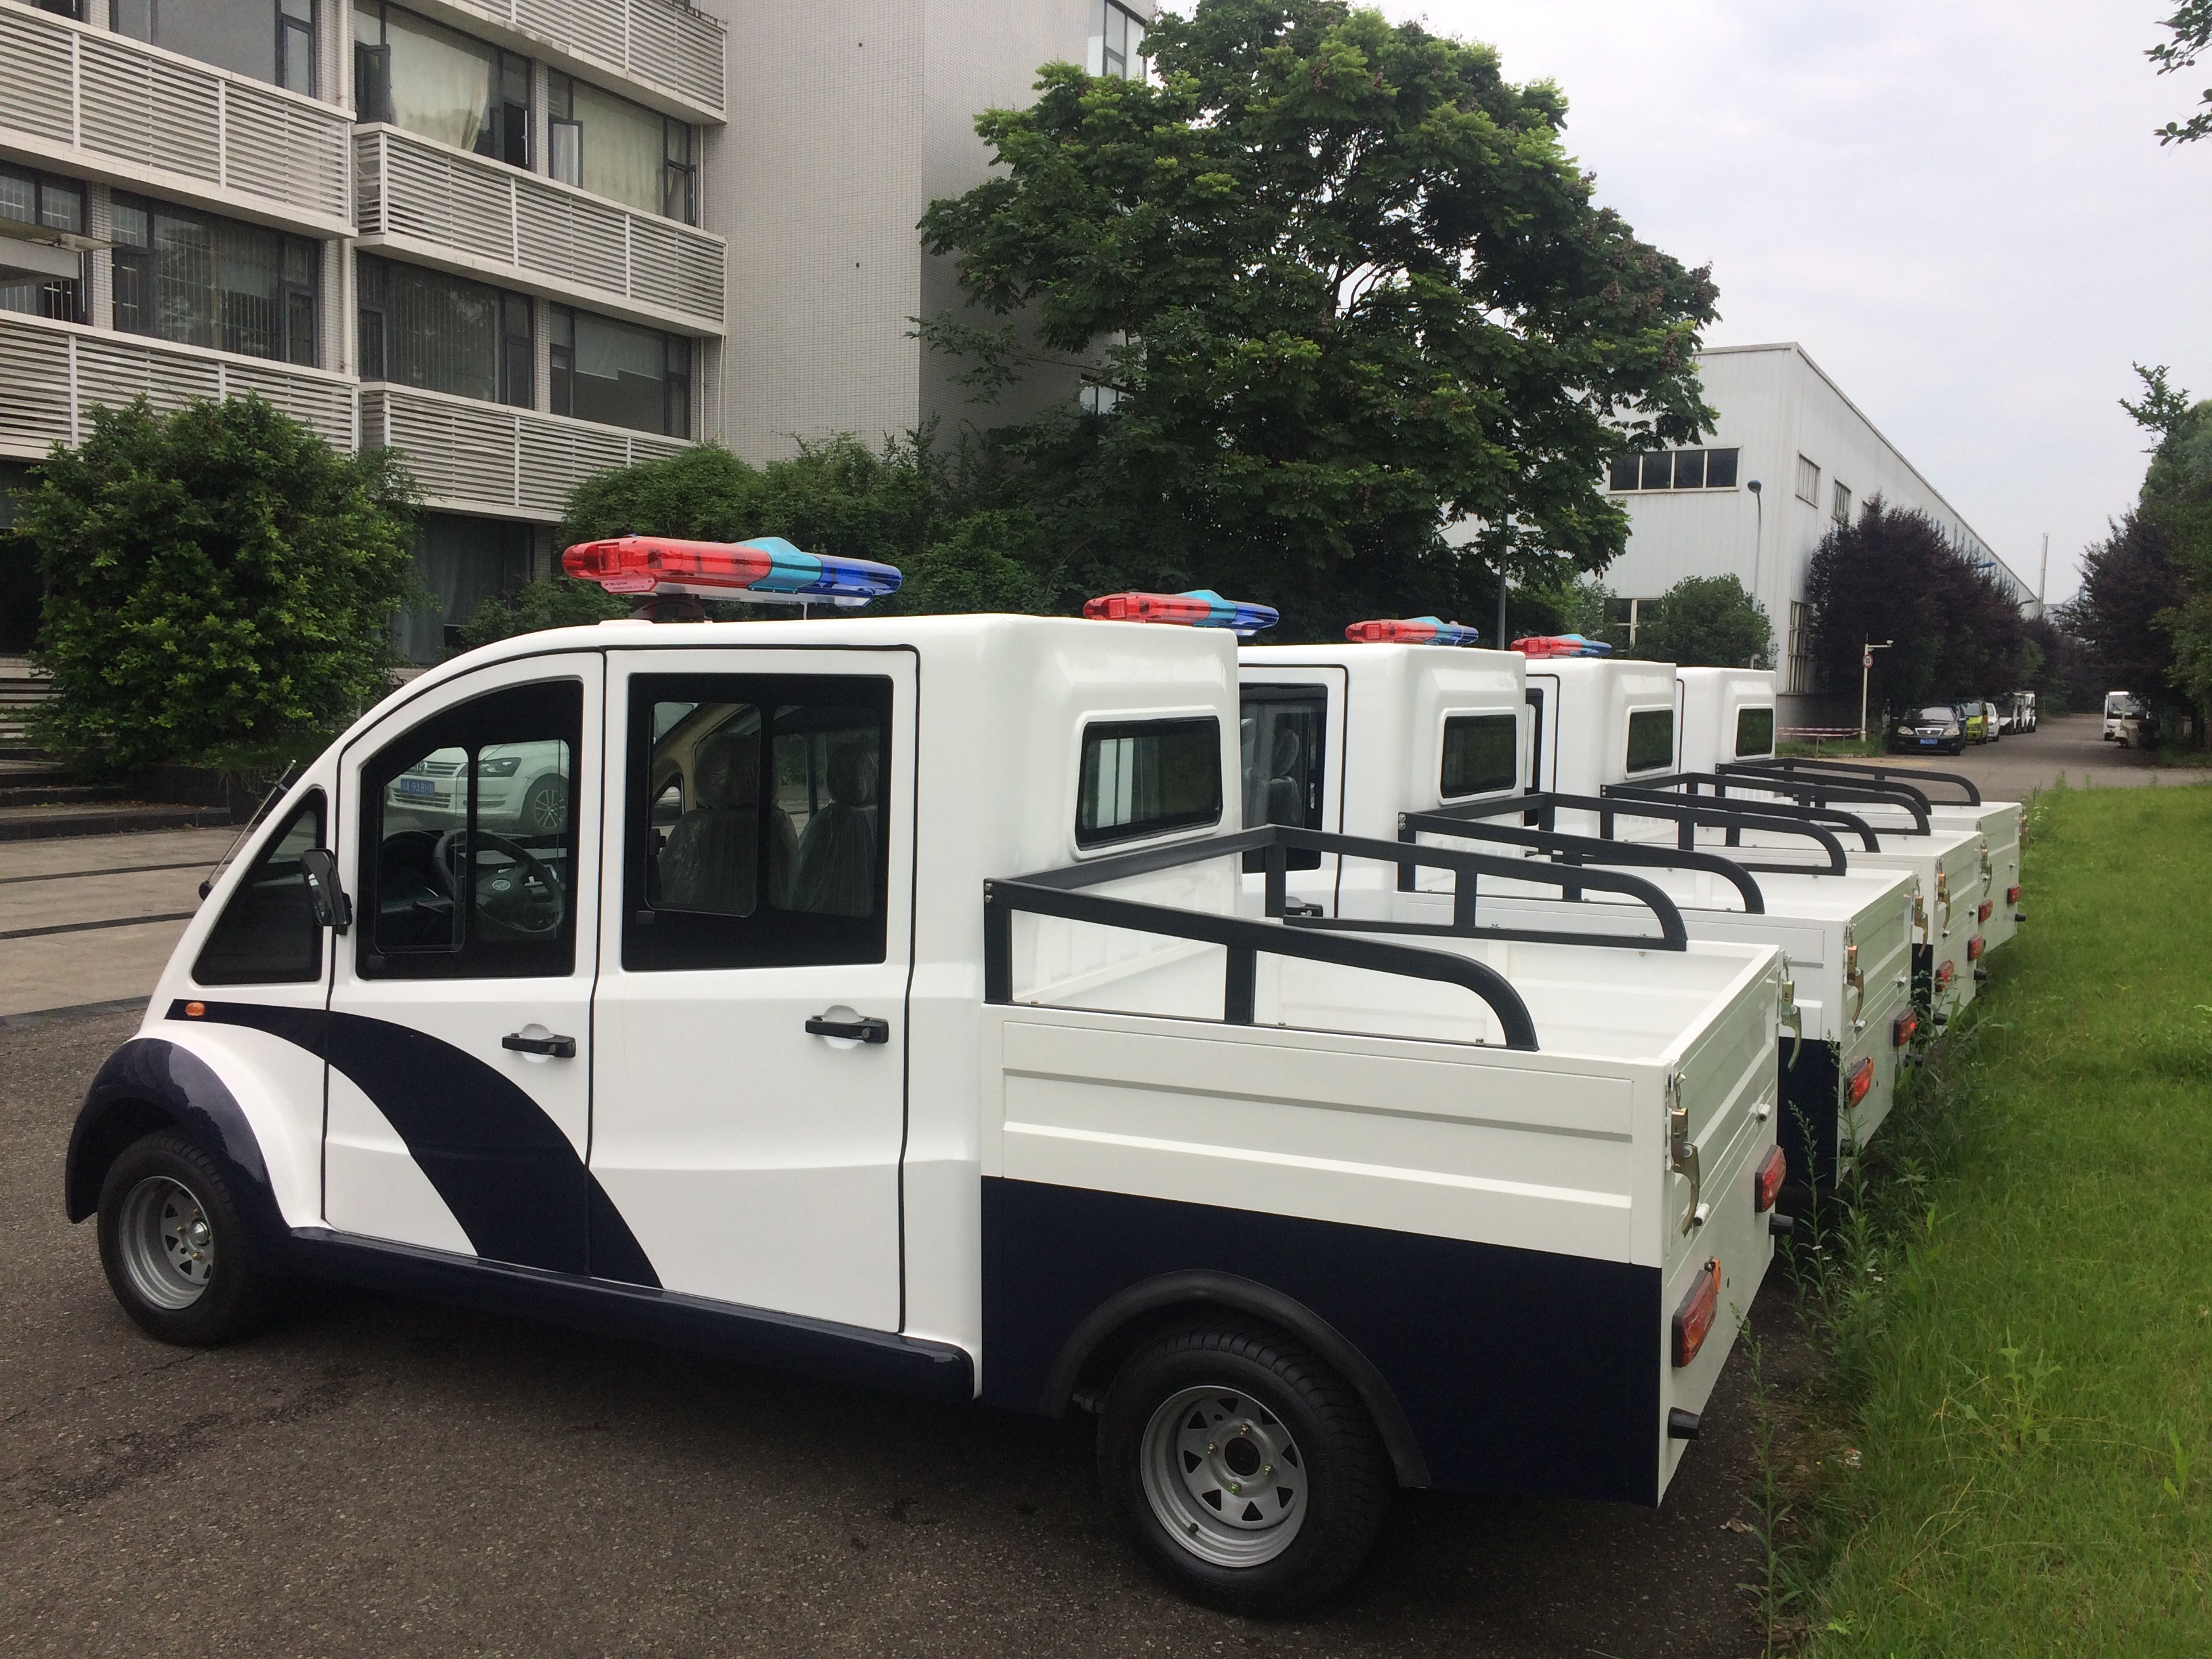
{"type": "Point", "coordinates": [54, 373]}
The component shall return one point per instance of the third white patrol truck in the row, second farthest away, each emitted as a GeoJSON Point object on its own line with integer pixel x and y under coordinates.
{"type": "Point", "coordinates": [1609, 731]}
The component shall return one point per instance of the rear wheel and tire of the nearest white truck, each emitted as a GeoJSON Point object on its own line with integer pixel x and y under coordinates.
{"type": "Point", "coordinates": [1253, 1392]}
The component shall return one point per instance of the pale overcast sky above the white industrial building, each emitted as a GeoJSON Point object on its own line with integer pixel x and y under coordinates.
{"type": "Point", "coordinates": [1957, 207]}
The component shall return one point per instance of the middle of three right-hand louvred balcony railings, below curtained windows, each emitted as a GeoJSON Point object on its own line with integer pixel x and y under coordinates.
{"type": "Point", "coordinates": [536, 233]}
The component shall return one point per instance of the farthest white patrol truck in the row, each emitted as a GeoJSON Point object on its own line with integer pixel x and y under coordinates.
{"type": "Point", "coordinates": [1729, 727]}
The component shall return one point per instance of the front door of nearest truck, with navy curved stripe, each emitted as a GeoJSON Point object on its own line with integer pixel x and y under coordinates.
{"type": "Point", "coordinates": [461, 1014]}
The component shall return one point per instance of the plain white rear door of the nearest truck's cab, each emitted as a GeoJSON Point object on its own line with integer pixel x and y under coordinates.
{"type": "Point", "coordinates": [753, 1010]}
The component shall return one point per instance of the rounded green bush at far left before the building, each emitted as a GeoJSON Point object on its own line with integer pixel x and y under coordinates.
{"type": "Point", "coordinates": [220, 585]}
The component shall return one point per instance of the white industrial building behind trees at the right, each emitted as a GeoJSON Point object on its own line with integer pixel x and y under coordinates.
{"type": "Point", "coordinates": [1791, 461]}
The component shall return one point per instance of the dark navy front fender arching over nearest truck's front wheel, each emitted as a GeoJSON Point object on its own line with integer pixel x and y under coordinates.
{"type": "Point", "coordinates": [152, 1085]}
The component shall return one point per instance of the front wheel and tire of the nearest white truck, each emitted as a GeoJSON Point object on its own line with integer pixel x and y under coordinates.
{"type": "Point", "coordinates": [178, 1251]}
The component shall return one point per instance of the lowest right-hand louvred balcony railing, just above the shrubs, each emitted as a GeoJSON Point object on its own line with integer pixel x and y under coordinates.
{"type": "Point", "coordinates": [486, 457]}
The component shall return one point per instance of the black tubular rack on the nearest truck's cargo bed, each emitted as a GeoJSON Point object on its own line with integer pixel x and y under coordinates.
{"type": "Point", "coordinates": [1315, 939]}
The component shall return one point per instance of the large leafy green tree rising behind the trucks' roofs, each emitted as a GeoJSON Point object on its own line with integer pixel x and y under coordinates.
{"type": "Point", "coordinates": [1346, 286]}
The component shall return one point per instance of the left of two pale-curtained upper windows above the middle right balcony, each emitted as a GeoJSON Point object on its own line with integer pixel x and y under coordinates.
{"type": "Point", "coordinates": [441, 83]}
